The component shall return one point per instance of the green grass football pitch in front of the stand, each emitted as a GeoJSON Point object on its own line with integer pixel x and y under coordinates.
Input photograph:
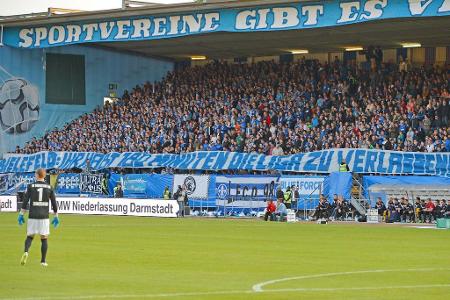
{"type": "Point", "coordinates": [103, 257]}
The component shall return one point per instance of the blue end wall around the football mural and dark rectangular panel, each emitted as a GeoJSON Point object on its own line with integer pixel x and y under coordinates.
{"type": "Point", "coordinates": [102, 67]}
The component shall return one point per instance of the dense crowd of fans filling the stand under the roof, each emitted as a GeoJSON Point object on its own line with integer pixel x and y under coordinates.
{"type": "Point", "coordinates": [271, 108]}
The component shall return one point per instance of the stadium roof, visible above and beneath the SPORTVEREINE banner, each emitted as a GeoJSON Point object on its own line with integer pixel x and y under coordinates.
{"type": "Point", "coordinates": [431, 31]}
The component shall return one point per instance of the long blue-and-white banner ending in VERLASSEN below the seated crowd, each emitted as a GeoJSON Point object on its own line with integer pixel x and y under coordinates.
{"type": "Point", "coordinates": [326, 161]}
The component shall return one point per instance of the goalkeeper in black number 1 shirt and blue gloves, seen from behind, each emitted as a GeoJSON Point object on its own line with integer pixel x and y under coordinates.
{"type": "Point", "coordinates": [38, 194]}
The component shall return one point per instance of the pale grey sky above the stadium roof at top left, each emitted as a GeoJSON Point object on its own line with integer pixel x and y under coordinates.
{"type": "Point", "coordinates": [17, 7]}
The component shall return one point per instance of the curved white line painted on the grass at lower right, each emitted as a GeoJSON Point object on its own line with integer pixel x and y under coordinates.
{"type": "Point", "coordinates": [259, 286]}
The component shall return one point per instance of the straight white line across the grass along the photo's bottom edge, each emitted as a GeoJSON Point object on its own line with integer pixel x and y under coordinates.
{"type": "Point", "coordinates": [231, 292]}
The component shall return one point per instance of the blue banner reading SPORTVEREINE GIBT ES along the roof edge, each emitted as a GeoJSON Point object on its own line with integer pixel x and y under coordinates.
{"type": "Point", "coordinates": [263, 18]}
